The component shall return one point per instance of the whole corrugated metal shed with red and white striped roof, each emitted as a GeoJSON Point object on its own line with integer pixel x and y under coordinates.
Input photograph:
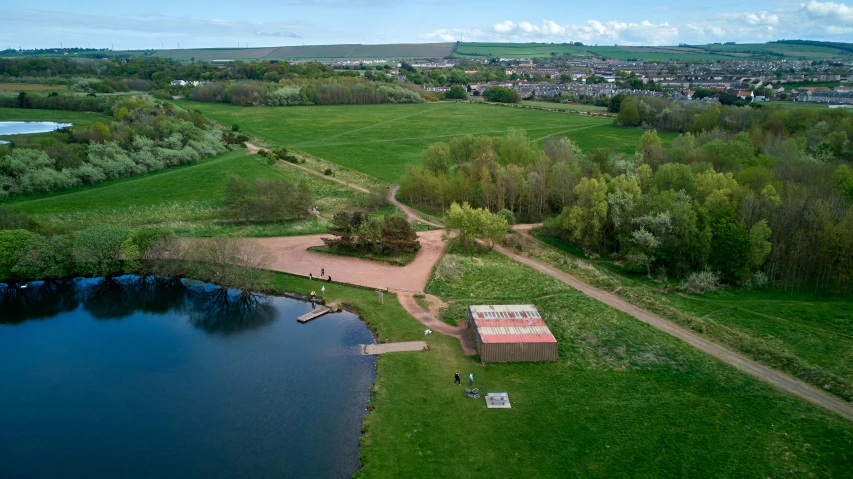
{"type": "Point", "coordinates": [505, 333]}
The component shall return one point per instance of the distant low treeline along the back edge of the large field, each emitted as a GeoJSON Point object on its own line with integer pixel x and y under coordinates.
{"type": "Point", "coordinates": [339, 91]}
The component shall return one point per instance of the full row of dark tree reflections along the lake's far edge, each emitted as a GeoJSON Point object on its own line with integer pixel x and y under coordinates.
{"type": "Point", "coordinates": [211, 308]}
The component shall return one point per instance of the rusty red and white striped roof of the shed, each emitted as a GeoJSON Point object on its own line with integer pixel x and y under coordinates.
{"type": "Point", "coordinates": [519, 323]}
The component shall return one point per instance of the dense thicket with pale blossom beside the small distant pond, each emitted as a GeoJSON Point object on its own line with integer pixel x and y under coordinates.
{"type": "Point", "coordinates": [138, 137]}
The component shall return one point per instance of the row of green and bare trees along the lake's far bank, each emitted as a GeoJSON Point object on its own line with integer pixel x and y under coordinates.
{"type": "Point", "coordinates": [109, 250]}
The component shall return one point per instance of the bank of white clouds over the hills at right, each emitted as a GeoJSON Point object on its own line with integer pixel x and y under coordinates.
{"type": "Point", "coordinates": [814, 20]}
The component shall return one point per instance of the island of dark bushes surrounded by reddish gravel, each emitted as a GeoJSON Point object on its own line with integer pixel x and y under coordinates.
{"type": "Point", "coordinates": [360, 232]}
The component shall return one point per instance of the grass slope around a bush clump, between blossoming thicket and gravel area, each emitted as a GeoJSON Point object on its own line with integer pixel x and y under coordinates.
{"type": "Point", "coordinates": [192, 193]}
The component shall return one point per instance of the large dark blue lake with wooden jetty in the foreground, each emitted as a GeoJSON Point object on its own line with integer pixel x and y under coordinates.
{"type": "Point", "coordinates": [130, 378]}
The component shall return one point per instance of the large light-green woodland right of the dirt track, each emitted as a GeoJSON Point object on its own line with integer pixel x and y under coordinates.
{"type": "Point", "coordinates": [711, 202]}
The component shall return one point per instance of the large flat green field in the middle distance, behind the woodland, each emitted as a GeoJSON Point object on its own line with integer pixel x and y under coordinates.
{"type": "Point", "coordinates": [382, 140]}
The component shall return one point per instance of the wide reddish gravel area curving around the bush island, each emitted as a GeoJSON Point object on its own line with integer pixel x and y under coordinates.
{"type": "Point", "coordinates": [291, 256]}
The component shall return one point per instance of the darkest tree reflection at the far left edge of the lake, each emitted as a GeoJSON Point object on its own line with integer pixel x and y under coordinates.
{"type": "Point", "coordinates": [36, 301]}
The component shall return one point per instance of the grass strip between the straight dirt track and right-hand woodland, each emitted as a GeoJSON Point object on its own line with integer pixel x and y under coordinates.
{"type": "Point", "coordinates": [806, 335]}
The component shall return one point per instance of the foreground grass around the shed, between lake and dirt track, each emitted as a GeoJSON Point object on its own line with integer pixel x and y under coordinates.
{"type": "Point", "coordinates": [624, 400]}
